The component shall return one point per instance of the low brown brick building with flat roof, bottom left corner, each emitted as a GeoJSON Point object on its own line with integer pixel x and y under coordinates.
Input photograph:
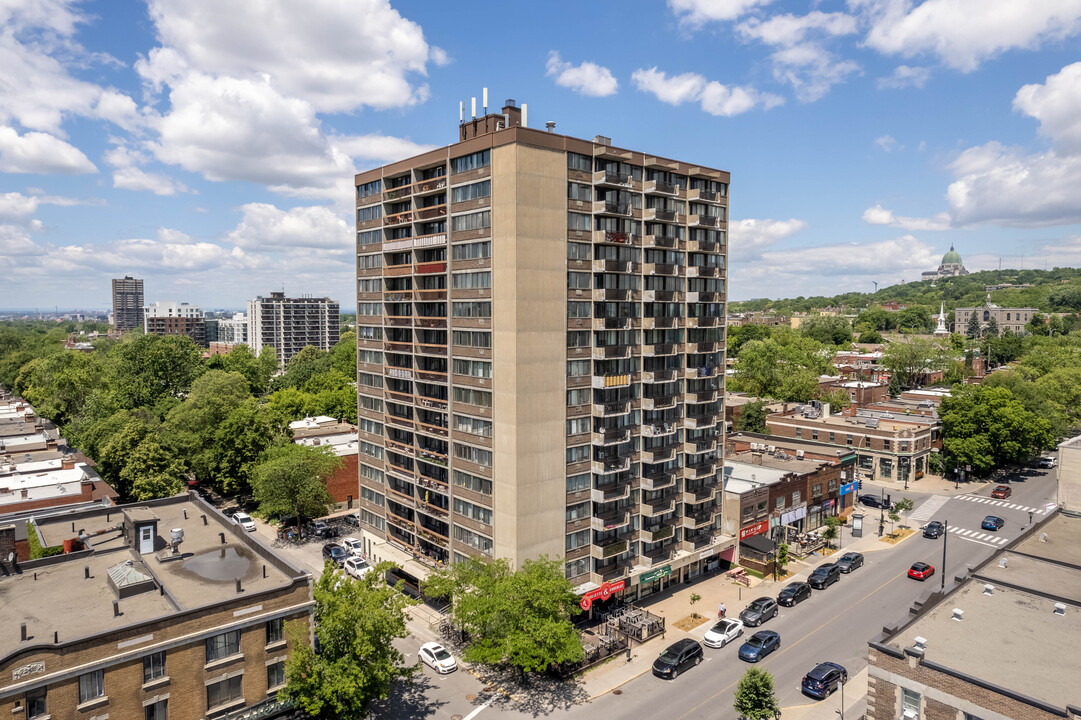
{"type": "Point", "coordinates": [161, 610]}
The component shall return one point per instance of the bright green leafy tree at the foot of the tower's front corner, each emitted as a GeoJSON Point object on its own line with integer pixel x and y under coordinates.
{"type": "Point", "coordinates": [521, 618]}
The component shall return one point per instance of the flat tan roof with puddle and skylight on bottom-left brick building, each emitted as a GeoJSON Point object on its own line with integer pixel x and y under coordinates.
{"type": "Point", "coordinates": [59, 598]}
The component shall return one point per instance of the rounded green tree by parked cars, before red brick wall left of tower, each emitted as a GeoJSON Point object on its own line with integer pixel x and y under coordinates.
{"type": "Point", "coordinates": [291, 481]}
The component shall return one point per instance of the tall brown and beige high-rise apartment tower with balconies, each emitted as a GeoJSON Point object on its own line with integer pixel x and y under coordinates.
{"type": "Point", "coordinates": [541, 349]}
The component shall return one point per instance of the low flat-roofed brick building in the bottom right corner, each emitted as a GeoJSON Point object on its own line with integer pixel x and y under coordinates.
{"type": "Point", "coordinates": [1002, 645]}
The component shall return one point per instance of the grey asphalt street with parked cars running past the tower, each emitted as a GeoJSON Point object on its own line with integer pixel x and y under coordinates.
{"type": "Point", "coordinates": [834, 625]}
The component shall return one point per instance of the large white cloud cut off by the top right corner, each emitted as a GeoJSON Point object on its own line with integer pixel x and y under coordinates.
{"type": "Point", "coordinates": [966, 33]}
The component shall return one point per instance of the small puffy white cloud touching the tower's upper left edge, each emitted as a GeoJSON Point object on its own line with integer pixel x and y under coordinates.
{"type": "Point", "coordinates": [266, 228]}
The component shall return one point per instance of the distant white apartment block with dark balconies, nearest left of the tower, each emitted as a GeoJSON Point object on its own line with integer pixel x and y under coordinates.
{"type": "Point", "coordinates": [289, 325]}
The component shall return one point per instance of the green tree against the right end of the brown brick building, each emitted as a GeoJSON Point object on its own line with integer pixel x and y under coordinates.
{"type": "Point", "coordinates": [356, 623]}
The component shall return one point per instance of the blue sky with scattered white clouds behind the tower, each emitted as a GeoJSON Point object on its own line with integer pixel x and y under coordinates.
{"type": "Point", "coordinates": [209, 146]}
